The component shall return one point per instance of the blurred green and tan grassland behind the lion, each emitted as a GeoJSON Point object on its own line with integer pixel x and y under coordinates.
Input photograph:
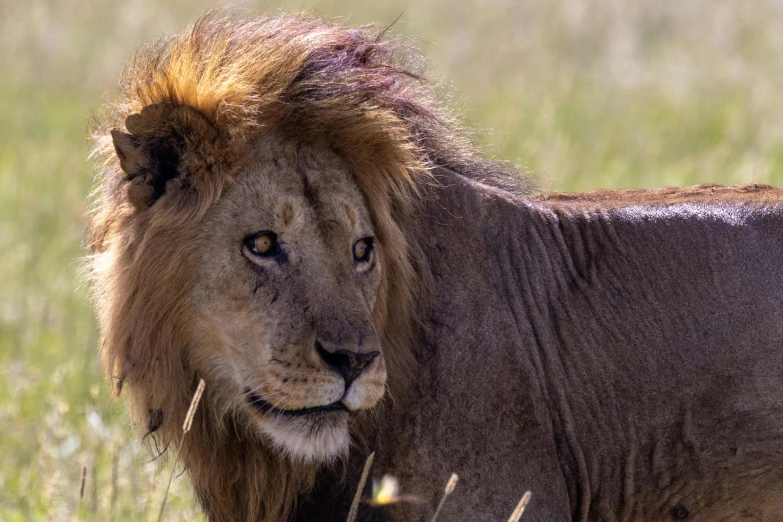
{"type": "Point", "coordinates": [606, 93]}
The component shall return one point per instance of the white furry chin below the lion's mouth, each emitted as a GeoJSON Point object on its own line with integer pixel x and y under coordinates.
{"type": "Point", "coordinates": [317, 438]}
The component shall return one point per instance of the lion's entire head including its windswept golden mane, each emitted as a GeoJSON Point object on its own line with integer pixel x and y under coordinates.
{"type": "Point", "coordinates": [248, 229]}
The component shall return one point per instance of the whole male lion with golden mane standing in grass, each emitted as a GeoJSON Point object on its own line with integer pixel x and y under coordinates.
{"type": "Point", "coordinates": [286, 212]}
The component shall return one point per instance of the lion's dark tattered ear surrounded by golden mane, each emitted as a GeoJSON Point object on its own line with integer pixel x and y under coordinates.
{"type": "Point", "coordinates": [163, 151]}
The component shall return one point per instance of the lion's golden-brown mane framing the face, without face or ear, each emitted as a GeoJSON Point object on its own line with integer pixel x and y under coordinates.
{"type": "Point", "coordinates": [307, 79]}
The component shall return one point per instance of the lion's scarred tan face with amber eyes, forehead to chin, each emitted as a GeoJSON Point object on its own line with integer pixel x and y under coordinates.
{"type": "Point", "coordinates": [285, 293]}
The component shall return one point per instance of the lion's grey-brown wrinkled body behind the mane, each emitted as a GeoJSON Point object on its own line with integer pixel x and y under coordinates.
{"type": "Point", "coordinates": [624, 357]}
